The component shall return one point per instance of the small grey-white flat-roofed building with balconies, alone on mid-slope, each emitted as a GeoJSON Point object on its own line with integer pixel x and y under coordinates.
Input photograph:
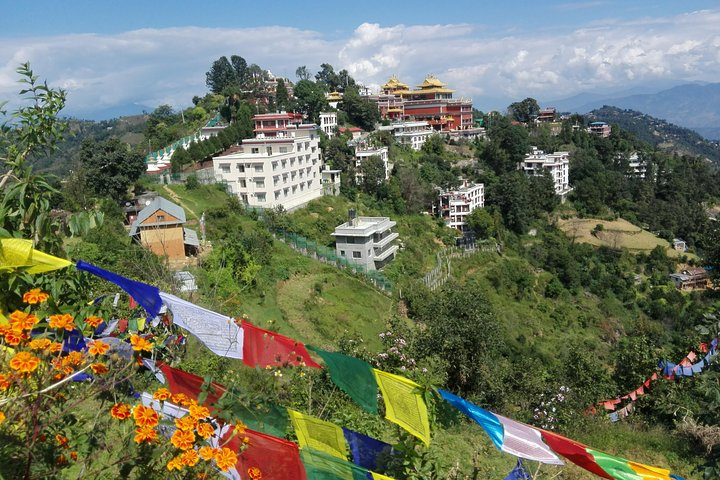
{"type": "Point", "coordinates": [366, 241]}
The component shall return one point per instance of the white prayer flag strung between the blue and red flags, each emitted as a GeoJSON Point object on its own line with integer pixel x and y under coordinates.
{"type": "Point", "coordinates": [217, 332]}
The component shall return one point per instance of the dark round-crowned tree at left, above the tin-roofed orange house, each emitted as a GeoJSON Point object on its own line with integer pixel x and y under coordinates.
{"type": "Point", "coordinates": [112, 167]}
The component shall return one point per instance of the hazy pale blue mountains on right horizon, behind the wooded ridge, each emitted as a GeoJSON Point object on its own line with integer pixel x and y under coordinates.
{"type": "Point", "coordinates": [693, 106]}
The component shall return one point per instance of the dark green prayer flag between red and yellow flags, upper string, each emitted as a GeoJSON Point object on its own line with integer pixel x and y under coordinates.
{"type": "Point", "coordinates": [354, 377]}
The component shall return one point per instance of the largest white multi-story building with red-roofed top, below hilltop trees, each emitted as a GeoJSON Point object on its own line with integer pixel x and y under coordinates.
{"type": "Point", "coordinates": [279, 167]}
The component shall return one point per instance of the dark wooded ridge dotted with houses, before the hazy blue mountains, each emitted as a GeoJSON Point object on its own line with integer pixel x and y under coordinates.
{"type": "Point", "coordinates": [659, 133]}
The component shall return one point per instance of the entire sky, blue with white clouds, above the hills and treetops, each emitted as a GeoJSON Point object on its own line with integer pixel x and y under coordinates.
{"type": "Point", "coordinates": [137, 55]}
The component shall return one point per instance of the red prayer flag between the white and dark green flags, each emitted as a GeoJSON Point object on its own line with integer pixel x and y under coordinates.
{"type": "Point", "coordinates": [265, 348]}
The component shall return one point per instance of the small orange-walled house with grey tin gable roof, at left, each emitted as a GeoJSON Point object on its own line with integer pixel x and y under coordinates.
{"type": "Point", "coordinates": [160, 228]}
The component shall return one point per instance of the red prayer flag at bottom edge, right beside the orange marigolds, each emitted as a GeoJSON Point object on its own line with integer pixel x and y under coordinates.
{"type": "Point", "coordinates": [275, 458]}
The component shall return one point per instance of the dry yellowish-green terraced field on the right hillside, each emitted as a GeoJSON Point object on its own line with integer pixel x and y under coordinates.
{"type": "Point", "coordinates": [615, 234]}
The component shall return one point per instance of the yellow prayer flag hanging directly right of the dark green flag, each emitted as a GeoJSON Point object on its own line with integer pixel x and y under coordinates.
{"type": "Point", "coordinates": [403, 404]}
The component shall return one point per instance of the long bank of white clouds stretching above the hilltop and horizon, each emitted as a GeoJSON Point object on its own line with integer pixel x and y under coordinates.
{"type": "Point", "coordinates": [153, 66]}
